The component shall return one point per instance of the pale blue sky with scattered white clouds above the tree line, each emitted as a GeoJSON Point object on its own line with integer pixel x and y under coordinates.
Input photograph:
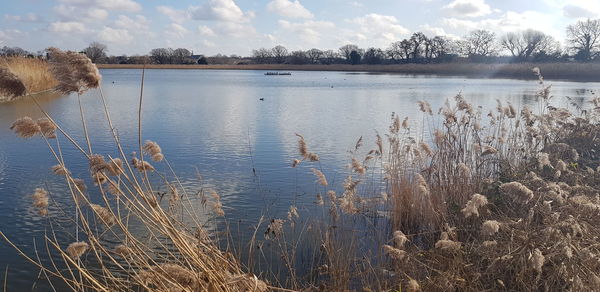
{"type": "Point", "coordinates": [238, 26]}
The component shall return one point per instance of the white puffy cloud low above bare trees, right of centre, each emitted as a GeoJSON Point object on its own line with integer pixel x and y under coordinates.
{"type": "Point", "coordinates": [381, 29]}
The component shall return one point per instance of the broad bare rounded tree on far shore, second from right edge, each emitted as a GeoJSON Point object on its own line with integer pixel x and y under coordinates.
{"type": "Point", "coordinates": [528, 43]}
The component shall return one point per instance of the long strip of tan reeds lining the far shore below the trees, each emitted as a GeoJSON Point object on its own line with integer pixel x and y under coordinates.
{"type": "Point", "coordinates": [558, 71]}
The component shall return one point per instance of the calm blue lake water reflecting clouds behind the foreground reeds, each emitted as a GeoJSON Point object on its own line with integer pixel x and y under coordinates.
{"type": "Point", "coordinates": [215, 122]}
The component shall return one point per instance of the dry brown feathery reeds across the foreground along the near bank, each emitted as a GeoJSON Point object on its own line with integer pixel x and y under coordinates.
{"type": "Point", "coordinates": [505, 199]}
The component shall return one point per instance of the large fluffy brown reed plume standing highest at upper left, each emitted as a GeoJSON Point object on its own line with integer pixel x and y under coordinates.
{"type": "Point", "coordinates": [74, 71]}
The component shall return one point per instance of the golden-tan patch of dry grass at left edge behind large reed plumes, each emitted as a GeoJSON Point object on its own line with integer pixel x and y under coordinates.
{"type": "Point", "coordinates": [34, 73]}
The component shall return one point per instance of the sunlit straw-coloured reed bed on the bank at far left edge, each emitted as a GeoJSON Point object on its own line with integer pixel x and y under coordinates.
{"type": "Point", "coordinates": [33, 74]}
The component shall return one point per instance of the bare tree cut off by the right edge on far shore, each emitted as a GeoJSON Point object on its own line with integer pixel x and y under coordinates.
{"type": "Point", "coordinates": [584, 38]}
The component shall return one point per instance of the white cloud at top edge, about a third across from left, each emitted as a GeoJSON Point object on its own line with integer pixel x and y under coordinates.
{"type": "Point", "coordinates": [220, 10]}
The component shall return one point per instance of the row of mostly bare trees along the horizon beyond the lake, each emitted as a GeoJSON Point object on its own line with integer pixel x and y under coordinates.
{"type": "Point", "coordinates": [582, 44]}
